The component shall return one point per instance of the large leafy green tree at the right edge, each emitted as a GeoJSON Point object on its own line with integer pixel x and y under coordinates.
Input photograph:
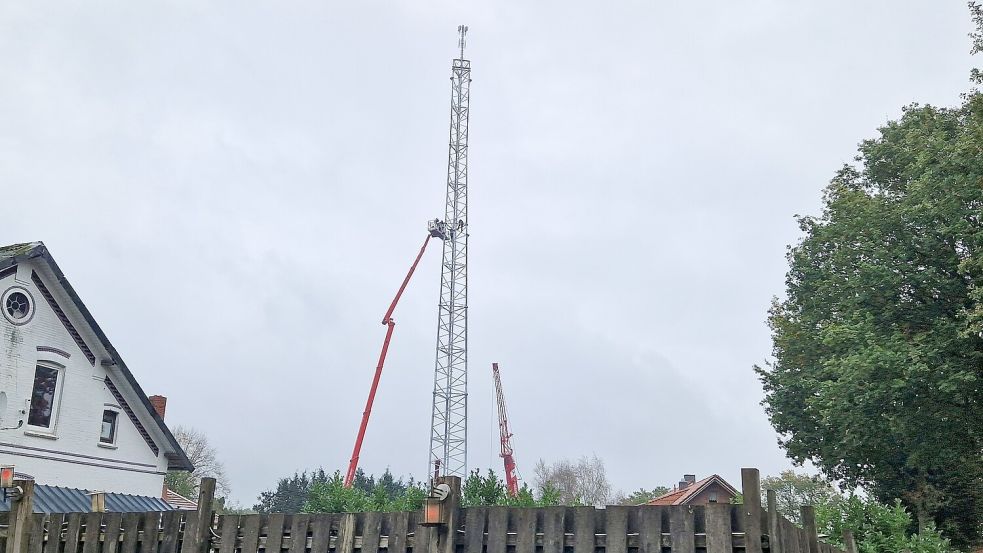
{"type": "Point", "coordinates": [878, 346]}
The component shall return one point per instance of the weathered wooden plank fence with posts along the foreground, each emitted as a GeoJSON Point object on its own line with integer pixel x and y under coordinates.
{"type": "Point", "coordinates": [715, 528]}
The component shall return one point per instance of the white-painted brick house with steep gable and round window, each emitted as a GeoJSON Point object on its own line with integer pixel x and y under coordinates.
{"type": "Point", "coordinates": [71, 413]}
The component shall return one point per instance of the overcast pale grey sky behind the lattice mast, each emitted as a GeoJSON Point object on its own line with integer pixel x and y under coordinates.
{"type": "Point", "coordinates": [236, 189]}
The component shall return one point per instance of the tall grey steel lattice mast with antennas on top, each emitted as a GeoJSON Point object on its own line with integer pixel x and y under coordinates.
{"type": "Point", "coordinates": [449, 422]}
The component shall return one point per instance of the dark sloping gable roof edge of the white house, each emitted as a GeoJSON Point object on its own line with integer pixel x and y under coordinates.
{"type": "Point", "coordinates": [18, 253]}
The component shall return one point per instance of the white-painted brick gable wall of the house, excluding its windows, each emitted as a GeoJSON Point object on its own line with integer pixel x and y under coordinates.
{"type": "Point", "coordinates": [69, 454]}
